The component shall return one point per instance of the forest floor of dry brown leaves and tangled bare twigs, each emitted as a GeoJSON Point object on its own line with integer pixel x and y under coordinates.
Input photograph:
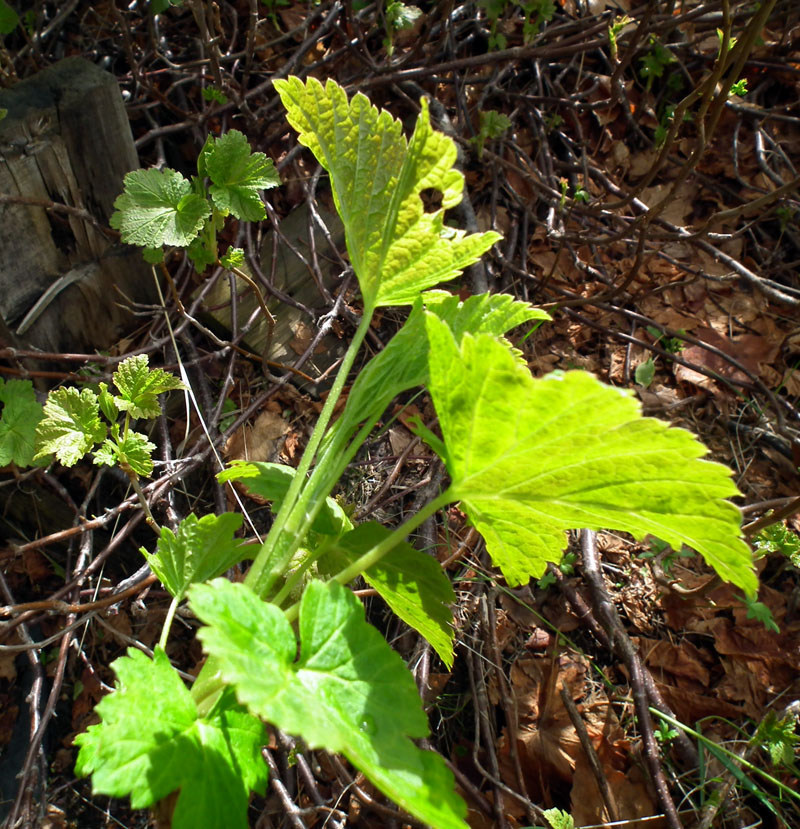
{"type": "Point", "coordinates": [667, 254]}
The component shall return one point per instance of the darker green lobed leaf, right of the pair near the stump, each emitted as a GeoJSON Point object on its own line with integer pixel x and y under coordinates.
{"type": "Point", "coordinates": [238, 175]}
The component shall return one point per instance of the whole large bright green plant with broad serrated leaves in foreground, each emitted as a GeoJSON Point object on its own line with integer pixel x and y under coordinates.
{"type": "Point", "coordinates": [527, 460]}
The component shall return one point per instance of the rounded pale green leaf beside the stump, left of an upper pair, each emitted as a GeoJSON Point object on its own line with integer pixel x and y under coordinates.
{"type": "Point", "coordinates": [158, 208]}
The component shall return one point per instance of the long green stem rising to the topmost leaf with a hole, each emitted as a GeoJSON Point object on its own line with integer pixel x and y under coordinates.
{"type": "Point", "coordinates": [298, 510]}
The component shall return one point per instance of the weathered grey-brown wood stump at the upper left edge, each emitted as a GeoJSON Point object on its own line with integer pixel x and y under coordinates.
{"type": "Point", "coordinates": [64, 284]}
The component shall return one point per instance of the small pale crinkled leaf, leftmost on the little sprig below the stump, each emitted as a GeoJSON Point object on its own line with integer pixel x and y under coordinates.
{"type": "Point", "coordinates": [71, 425]}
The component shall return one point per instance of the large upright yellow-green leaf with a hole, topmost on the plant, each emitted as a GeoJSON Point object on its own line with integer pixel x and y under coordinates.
{"type": "Point", "coordinates": [395, 247]}
